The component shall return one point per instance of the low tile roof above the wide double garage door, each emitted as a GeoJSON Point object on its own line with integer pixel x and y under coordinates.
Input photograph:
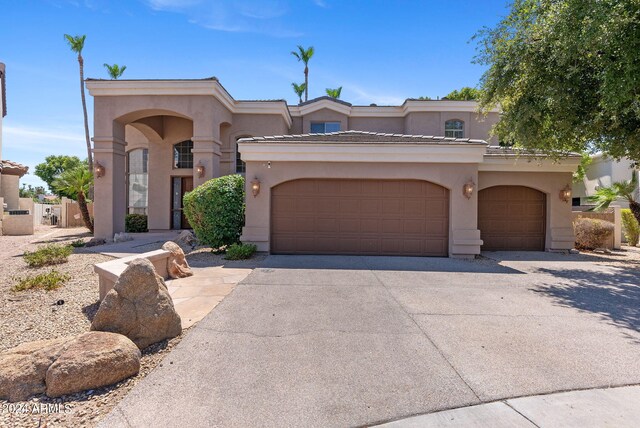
{"type": "Point", "coordinates": [361, 137]}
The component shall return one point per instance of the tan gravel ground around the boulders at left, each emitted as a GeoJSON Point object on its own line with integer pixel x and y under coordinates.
{"type": "Point", "coordinates": [36, 315]}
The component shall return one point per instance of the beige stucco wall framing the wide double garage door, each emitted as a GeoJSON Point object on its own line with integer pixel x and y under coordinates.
{"type": "Point", "coordinates": [463, 233]}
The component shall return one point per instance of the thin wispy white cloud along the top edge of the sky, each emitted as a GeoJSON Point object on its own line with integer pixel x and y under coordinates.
{"type": "Point", "coordinates": [235, 16]}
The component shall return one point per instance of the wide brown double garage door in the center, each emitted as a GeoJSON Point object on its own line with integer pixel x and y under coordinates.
{"type": "Point", "coordinates": [384, 217]}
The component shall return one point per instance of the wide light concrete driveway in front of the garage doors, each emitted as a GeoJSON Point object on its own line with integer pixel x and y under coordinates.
{"type": "Point", "coordinates": [352, 341]}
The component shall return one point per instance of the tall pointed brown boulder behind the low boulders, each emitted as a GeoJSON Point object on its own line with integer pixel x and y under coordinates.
{"type": "Point", "coordinates": [139, 306]}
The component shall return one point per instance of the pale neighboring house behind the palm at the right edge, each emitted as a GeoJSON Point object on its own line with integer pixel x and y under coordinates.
{"type": "Point", "coordinates": [602, 172]}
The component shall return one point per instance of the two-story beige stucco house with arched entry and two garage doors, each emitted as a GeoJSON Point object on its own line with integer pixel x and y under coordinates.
{"type": "Point", "coordinates": [326, 176]}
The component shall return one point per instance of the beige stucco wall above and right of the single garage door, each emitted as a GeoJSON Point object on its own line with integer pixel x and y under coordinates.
{"type": "Point", "coordinates": [559, 228]}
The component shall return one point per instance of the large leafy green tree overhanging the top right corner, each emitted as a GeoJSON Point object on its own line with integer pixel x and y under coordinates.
{"type": "Point", "coordinates": [566, 76]}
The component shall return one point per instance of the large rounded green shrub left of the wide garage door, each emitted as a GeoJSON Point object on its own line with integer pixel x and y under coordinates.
{"type": "Point", "coordinates": [215, 210]}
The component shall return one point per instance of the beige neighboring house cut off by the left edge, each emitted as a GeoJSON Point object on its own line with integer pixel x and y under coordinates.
{"type": "Point", "coordinates": [10, 172]}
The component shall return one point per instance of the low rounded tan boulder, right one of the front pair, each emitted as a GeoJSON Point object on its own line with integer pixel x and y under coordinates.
{"type": "Point", "coordinates": [93, 360]}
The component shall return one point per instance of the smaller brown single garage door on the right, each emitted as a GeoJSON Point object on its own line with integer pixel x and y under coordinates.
{"type": "Point", "coordinates": [512, 218]}
